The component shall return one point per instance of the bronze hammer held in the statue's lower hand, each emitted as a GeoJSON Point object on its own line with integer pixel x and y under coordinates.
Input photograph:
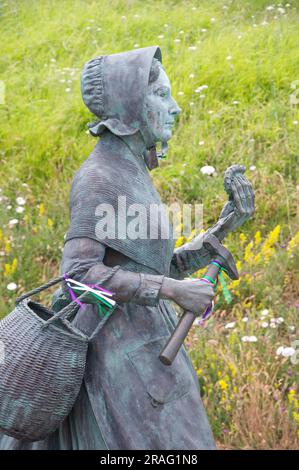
{"type": "Point", "coordinates": [222, 259]}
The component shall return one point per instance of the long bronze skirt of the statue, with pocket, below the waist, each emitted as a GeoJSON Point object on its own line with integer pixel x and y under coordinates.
{"type": "Point", "coordinates": [128, 399]}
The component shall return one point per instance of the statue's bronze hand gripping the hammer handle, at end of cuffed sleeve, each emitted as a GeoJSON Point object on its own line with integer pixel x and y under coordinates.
{"type": "Point", "coordinates": [192, 295]}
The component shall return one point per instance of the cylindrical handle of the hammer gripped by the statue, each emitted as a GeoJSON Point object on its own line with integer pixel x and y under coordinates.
{"type": "Point", "coordinates": [180, 332]}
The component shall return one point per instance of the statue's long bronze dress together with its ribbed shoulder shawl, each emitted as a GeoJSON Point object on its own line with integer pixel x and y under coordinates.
{"type": "Point", "coordinates": [129, 399]}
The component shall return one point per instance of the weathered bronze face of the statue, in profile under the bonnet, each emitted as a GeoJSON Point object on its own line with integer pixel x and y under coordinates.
{"type": "Point", "coordinates": [160, 109]}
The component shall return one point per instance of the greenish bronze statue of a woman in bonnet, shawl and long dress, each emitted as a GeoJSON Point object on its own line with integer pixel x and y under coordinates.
{"type": "Point", "coordinates": [129, 399]}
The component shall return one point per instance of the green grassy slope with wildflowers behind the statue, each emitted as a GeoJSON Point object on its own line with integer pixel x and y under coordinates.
{"type": "Point", "coordinates": [248, 59]}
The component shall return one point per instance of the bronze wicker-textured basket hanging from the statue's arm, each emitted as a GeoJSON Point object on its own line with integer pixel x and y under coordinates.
{"type": "Point", "coordinates": [43, 365]}
